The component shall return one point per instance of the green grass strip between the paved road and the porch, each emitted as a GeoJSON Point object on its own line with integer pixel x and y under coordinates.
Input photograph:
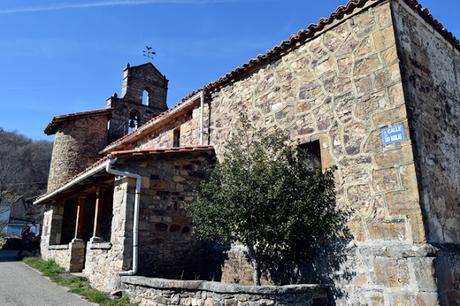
{"type": "Point", "coordinates": [76, 284]}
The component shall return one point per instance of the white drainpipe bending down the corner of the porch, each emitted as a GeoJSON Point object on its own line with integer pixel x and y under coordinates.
{"type": "Point", "coordinates": [109, 169]}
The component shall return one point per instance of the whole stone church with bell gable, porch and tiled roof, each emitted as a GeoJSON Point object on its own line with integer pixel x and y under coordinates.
{"type": "Point", "coordinates": [374, 88]}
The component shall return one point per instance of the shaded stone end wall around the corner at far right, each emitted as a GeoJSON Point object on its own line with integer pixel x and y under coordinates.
{"type": "Point", "coordinates": [430, 68]}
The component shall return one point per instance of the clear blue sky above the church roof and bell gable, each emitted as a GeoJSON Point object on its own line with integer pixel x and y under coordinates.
{"type": "Point", "coordinates": [61, 56]}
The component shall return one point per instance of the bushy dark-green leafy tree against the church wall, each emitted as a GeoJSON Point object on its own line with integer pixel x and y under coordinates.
{"type": "Point", "coordinates": [266, 194]}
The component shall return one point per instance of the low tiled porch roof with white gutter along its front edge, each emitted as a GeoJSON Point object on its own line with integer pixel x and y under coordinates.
{"type": "Point", "coordinates": [97, 171]}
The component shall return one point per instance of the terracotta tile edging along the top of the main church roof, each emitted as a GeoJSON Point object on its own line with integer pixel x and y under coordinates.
{"type": "Point", "coordinates": [296, 40]}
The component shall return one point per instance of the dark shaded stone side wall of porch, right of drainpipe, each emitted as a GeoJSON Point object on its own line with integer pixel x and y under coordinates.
{"type": "Point", "coordinates": [166, 246]}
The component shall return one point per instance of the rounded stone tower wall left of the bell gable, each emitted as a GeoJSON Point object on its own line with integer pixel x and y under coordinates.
{"type": "Point", "coordinates": [76, 146]}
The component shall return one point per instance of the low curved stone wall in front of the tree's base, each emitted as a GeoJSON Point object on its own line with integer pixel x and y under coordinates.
{"type": "Point", "coordinates": [155, 291]}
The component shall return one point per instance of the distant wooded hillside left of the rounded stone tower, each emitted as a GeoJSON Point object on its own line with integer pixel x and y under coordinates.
{"type": "Point", "coordinates": [24, 164]}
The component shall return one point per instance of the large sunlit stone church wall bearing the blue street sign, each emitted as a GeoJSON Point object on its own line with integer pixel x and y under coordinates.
{"type": "Point", "coordinates": [342, 88]}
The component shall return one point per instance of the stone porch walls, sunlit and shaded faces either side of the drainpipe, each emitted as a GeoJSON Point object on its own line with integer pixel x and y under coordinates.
{"type": "Point", "coordinates": [165, 243]}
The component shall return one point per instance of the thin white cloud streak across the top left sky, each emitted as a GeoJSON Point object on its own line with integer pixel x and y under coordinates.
{"type": "Point", "coordinates": [95, 4]}
